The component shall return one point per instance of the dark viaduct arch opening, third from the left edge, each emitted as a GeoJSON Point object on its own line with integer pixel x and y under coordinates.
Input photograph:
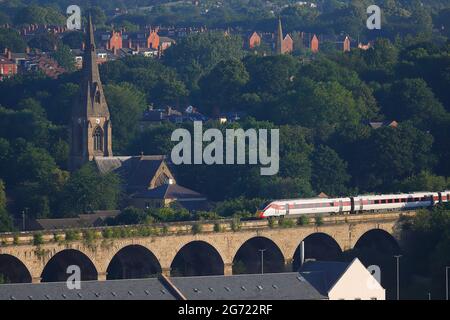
{"type": "Point", "coordinates": [133, 262]}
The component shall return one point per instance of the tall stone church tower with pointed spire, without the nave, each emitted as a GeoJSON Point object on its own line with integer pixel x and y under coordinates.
{"type": "Point", "coordinates": [90, 126]}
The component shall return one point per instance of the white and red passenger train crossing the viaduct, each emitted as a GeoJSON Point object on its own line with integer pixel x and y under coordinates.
{"type": "Point", "coordinates": [352, 205]}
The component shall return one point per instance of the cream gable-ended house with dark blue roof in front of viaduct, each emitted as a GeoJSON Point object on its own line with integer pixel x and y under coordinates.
{"type": "Point", "coordinates": [342, 280]}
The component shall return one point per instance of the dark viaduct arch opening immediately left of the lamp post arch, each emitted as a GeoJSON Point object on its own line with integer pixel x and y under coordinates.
{"type": "Point", "coordinates": [197, 258]}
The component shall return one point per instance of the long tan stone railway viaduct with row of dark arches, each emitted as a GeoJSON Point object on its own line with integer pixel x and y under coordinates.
{"type": "Point", "coordinates": [187, 249]}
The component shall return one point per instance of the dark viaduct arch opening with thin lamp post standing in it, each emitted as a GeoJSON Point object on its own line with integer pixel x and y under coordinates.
{"type": "Point", "coordinates": [258, 254]}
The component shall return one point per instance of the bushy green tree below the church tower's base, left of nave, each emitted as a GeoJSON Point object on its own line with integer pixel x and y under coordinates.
{"type": "Point", "coordinates": [87, 190]}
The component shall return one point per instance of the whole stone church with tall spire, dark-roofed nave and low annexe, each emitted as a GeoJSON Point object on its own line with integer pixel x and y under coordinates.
{"type": "Point", "coordinates": [146, 180]}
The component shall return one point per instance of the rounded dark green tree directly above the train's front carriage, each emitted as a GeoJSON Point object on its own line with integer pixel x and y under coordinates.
{"type": "Point", "coordinates": [329, 173]}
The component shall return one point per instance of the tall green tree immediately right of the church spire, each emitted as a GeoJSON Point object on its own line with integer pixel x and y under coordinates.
{"type": "Point", "coordinates": [126, 104]}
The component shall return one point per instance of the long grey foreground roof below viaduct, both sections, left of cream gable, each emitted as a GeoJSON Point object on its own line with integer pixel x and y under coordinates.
{"type": "Point", "coordinates": [277, 286]}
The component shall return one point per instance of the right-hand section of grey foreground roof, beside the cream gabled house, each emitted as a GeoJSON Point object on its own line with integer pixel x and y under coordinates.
{"type": "Point", "coordinates": [275, 286]}
